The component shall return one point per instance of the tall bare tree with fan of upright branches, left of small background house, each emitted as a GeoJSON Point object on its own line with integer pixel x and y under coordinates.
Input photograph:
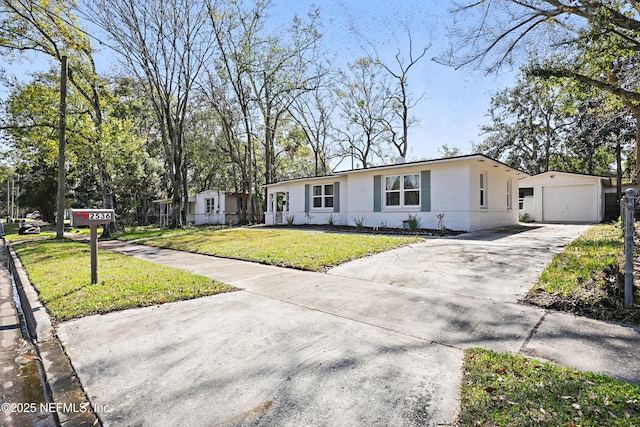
{"type": "Point", "coordinates": [164, 44]}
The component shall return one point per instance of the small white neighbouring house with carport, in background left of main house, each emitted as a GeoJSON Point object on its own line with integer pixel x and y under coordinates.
{"type": "Point", "coordinates": [206, 207]}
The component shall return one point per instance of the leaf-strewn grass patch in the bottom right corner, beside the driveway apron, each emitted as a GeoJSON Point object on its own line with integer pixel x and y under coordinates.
{"type": "Point", "coordinates": [509, 390]}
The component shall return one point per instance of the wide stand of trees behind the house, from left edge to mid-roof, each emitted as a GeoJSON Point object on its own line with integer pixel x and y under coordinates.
{"type": "Point", "coordinates": [207, 95]}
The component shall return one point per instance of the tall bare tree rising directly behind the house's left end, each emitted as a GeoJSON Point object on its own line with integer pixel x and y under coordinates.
{"type": "Point", "coordinates": [263, 73]}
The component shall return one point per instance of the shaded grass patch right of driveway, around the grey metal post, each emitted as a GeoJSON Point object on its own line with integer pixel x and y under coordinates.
{"type": "Point", "coordinates": [586, 278]}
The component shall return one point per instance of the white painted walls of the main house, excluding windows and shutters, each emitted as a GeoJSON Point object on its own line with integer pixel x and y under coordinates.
{"type": "Point", "coordinates": [454, 192]}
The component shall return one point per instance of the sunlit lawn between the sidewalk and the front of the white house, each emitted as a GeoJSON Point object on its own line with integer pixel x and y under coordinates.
{"type": "Point", "coordinates": [305, 250]}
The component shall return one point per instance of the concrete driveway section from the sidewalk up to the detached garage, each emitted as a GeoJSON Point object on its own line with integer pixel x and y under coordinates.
{"type": "Point", "coordinates": [500, 264]}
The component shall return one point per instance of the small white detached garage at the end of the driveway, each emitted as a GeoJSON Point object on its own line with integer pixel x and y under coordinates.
{"type": "Point", "coordinates": [563, 197]}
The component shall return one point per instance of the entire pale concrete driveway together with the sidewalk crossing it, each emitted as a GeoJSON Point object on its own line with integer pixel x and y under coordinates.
{"type": "Point", "coordinates": [375, 342]}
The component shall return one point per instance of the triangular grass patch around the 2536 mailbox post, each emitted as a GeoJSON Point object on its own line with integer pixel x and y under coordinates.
{"type": "Point", "coordinates": [60, 270]}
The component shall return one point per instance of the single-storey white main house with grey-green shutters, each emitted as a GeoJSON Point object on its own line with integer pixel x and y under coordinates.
{"type": "Point", "coordinates": [460, 193]}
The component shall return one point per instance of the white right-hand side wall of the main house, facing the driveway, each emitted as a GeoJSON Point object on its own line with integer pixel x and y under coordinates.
{"type": "Point", "coordinates": [496, 212]}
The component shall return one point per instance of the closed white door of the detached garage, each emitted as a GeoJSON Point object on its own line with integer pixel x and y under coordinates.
{"type": "Point", "coordinates": [571, 203]}
